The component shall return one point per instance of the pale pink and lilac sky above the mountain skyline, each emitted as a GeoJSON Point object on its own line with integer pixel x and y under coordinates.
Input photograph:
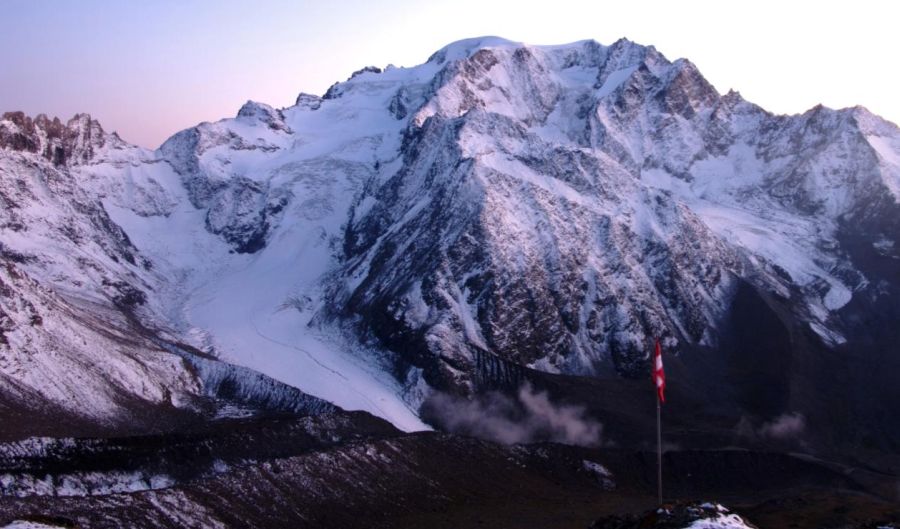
{"type": "Point", "coordinates": [149, 69]}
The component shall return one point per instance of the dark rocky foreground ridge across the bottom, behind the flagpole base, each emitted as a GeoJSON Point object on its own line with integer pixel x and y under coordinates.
{"type": "Point", "coordinates": [348, 472]}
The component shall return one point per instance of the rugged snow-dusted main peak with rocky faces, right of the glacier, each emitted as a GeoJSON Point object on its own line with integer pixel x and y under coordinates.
{"type": "Point", "coordinates": [559, 207]}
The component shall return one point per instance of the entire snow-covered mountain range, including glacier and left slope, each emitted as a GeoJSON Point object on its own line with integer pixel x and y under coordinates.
{"type": "Point", "coordinates": [498, 209]}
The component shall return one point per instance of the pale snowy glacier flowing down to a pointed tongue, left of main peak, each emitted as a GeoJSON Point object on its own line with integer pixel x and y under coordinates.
{"type": "Point", "coordinates": [254, 309]}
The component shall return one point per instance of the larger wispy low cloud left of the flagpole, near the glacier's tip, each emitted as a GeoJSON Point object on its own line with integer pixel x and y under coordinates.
{"type": "Point", "coordinates": [528, 417]}
